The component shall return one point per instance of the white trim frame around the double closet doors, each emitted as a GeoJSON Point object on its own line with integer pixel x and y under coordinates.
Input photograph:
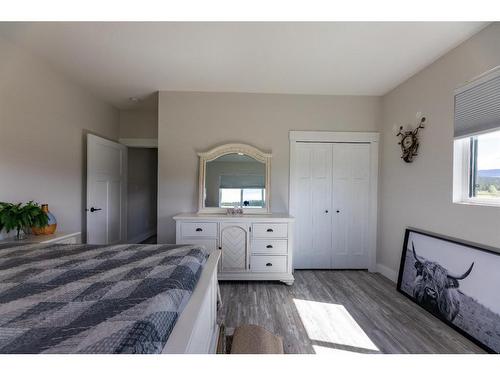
{"type": "Point", "coordinates": [371, 138]}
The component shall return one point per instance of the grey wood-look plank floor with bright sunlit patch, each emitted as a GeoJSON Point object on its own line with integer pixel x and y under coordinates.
{"type": "Point", "coordinates": [328, 311]}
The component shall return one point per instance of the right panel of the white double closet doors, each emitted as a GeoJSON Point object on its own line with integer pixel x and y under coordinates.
{"type": "Point", "coordinates": [351, 192]}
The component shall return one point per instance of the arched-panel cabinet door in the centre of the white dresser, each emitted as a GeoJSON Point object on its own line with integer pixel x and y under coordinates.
{"type": "Point", "coordinates": [234, 244]}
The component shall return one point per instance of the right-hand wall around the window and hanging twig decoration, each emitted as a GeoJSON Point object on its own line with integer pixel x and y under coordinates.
{"type": "Point", "coordinates": [420, 194]}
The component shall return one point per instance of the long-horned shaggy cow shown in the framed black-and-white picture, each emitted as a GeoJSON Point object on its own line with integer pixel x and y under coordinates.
{"type": "Point", "coordinates": [435, 287]}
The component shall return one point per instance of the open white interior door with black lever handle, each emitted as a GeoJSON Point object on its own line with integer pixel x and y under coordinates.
{"type": "Point", "coordinates": [106, 191]}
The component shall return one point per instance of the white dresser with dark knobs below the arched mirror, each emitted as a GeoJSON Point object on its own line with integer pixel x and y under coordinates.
{"type": "Point", "coordinates": [254, 247]}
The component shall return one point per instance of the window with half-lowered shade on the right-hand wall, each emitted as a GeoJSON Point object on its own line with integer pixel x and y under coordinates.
{"type": "Point", "coordinates": [476, 159]}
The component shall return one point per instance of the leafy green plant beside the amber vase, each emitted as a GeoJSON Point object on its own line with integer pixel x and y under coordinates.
{"type": "Point", "coordinates": [19, 217]}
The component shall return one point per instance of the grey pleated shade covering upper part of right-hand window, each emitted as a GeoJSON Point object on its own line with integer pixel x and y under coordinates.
{"type": "Point", "coordinates": [477, 105]}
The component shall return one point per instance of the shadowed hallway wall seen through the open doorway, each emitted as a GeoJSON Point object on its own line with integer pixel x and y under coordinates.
{"type": "Point", "coordinates": [142, 193]}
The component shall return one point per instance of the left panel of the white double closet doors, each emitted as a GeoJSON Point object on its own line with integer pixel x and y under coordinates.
{"type": "Point", "coordinates": [313, 198]}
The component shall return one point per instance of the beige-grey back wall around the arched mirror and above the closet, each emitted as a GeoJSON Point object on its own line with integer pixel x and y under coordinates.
{"type": "Point", "coordinates": [194, 122]}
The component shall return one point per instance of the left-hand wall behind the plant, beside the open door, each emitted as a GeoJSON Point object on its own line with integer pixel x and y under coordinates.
{"type": "Point", "coordinates": [43, 119]}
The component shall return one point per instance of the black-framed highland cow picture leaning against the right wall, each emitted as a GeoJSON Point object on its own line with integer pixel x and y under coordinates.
{"type": "Point", "coordinates": [457, 281]}
